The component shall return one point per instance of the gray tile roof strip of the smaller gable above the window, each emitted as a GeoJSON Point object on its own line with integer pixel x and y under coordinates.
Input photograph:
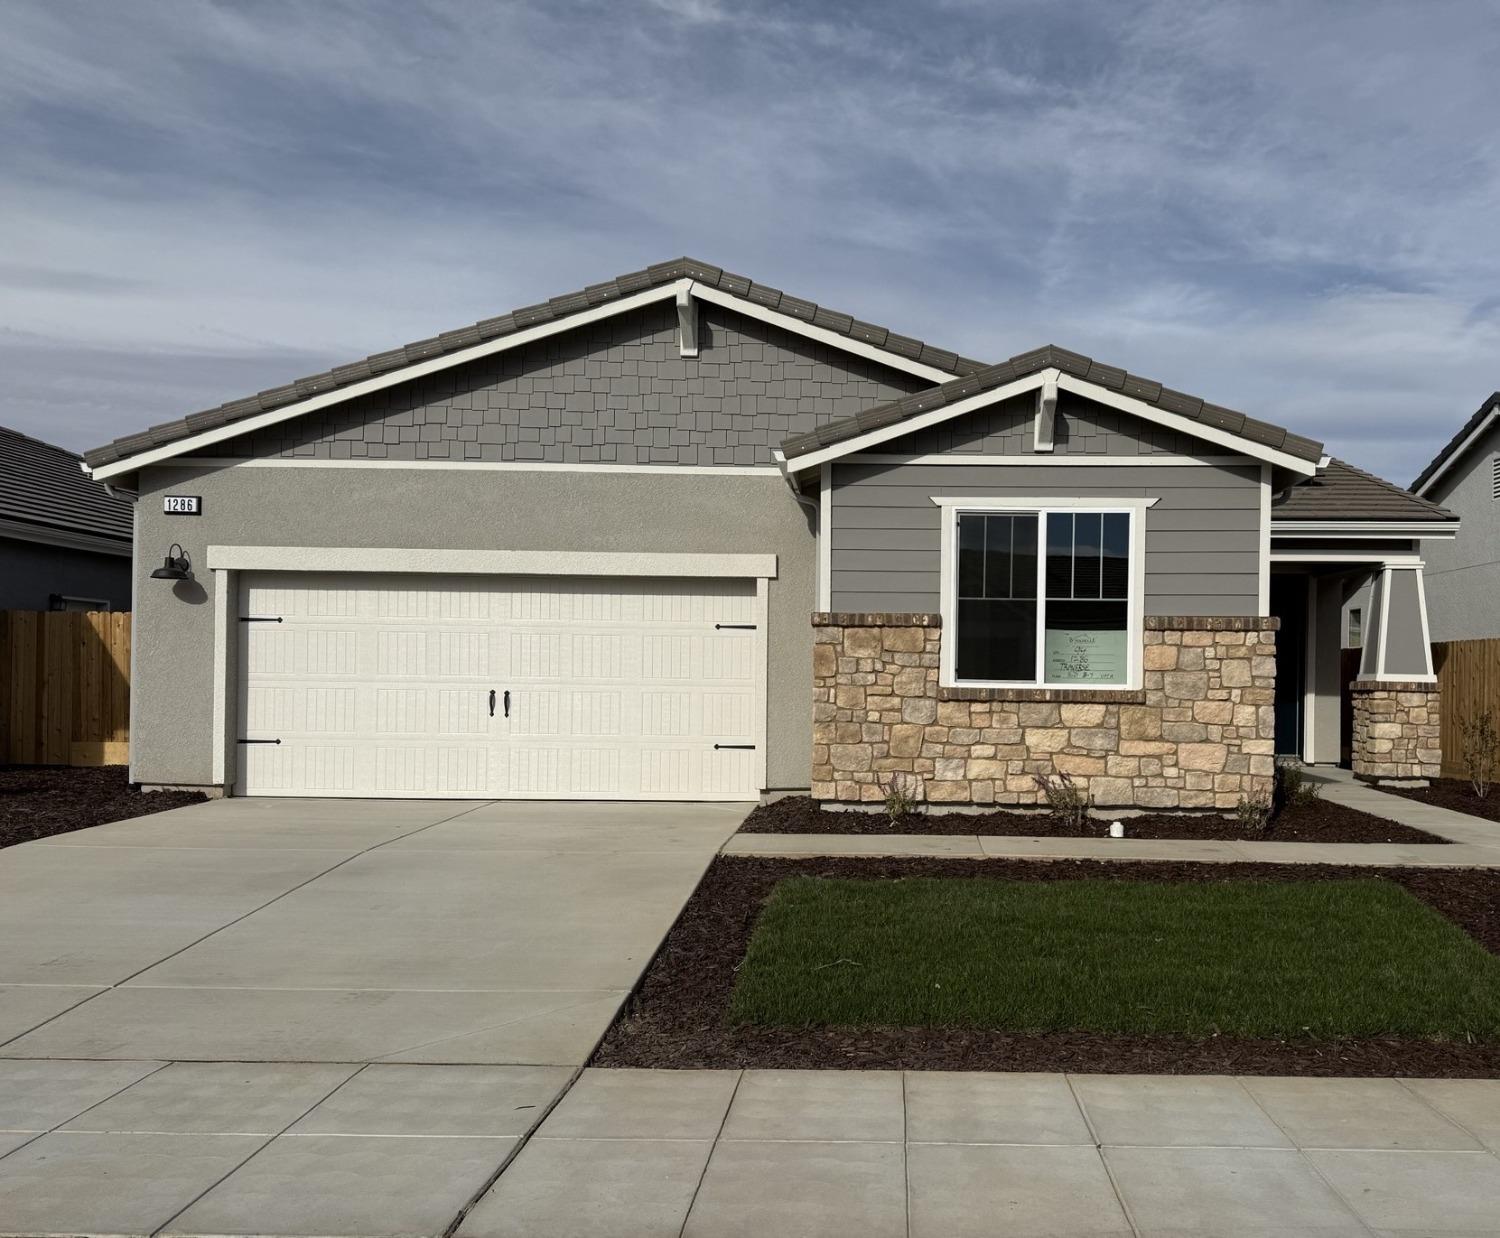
{"type": "Point", "coordinates": [1052, 358]}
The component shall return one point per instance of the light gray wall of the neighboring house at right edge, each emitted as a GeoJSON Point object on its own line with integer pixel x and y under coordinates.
{"type": "Point", "coordinates": [1463, 577]}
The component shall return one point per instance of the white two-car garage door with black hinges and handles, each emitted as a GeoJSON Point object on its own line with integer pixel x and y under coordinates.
{"type": "Point", "coordinates": [500, 687]}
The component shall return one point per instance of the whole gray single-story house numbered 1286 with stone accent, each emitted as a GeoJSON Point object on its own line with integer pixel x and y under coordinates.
{"type": "Point", "coordinates": [686, 536]}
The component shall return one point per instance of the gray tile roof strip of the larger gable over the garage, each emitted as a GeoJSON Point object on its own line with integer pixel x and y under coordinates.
{"type": "Point", "coordinates": [557, 310]}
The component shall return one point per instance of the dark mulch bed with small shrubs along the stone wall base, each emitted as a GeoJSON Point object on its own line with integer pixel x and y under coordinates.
{"type": "Point", "coordinates": [1315, 822]}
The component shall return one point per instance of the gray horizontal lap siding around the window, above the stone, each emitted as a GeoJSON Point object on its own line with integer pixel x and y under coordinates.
{"type": "Point", "coordinates": [1202, 538]}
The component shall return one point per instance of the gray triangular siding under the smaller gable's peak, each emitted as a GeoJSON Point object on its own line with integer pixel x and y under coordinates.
{"type": "Point", "coordinates": [1082, 428]}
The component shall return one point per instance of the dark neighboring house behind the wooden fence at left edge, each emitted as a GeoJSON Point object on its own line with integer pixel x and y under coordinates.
{"type": "Point", "coordinates": [65, 542]}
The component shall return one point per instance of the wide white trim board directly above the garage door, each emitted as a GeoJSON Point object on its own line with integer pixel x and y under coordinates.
{"type": "Point", "coordinates": [487, 563]}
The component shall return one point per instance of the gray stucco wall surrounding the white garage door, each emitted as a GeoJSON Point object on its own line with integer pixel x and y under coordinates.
{"type": "Point", "coordinates": [451, 509]}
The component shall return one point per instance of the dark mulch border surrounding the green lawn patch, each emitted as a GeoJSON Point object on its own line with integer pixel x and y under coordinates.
{"type": "Point", "coordinates": [679, 1017]}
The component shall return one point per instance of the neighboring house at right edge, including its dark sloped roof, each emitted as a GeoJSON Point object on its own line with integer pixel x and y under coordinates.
{"type": "Point", "coordinates": [1463, 577]}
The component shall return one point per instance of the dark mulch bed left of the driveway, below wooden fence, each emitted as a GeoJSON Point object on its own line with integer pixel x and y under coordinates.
{"type": "Point", "coordinates": [43, 801]}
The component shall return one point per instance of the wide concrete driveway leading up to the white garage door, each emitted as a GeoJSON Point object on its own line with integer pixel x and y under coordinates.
{"type": "Point", "coordinates": [305, 1017]}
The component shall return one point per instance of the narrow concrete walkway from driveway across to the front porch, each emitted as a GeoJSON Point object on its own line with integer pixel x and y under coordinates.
{"type": "Point", "coordinates": [1474, 843]}
